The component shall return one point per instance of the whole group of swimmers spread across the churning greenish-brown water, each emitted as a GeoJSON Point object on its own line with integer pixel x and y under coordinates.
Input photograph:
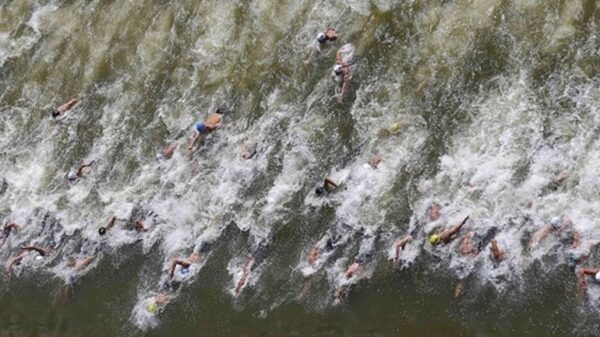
{"type": "Point", "coordinates": [341, 74]}
